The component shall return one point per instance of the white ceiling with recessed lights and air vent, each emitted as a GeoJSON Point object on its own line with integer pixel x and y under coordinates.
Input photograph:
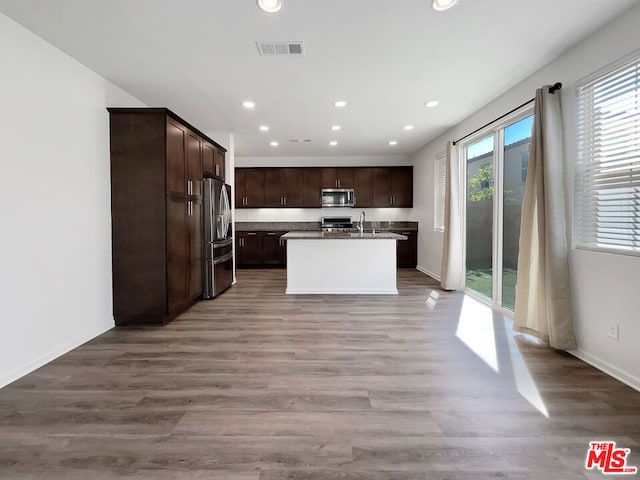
{"type": "Point", "coordinates": [386, 58]}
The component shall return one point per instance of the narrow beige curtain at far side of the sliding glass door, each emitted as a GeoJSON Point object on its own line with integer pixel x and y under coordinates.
{"type": "Point", "coordinates": [451, 277]}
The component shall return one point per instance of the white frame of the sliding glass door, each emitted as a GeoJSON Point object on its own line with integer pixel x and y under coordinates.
{"type": "Point", "coordinates": [497, 131]}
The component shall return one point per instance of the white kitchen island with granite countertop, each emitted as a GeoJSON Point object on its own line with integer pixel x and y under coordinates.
{"type": "Point", "coordinates": [342, 263]}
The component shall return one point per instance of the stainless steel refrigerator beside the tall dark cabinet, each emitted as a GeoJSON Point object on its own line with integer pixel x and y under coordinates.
{"type": "Point", "coordinates": [218, 240]}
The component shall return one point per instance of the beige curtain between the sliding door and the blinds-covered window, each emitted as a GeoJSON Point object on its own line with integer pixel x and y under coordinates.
{"type": "Point", "coordinates": [543, 296]}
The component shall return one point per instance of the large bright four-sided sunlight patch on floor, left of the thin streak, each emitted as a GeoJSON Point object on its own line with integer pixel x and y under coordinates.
{"type": "Point", "coordinates": [475, 329]}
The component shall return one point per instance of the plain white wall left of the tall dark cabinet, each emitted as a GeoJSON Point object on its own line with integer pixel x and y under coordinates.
{"type": "Point", "coordinates": [55, 247]}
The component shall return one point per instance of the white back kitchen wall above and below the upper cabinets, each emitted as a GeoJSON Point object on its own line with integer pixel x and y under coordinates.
{"type": "Point", "coordinates": [314, 214]}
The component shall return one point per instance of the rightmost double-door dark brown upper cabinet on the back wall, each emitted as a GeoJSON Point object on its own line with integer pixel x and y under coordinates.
{"type": "Point", "coordinates": [392, 187]}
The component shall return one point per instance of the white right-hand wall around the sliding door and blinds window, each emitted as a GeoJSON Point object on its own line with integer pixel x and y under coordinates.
{"type": "Point", "coordinates": [604, 286]}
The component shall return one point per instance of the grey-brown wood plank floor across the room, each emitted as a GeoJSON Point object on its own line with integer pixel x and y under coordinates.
{"type": "Point", "coordinates": [257, 385]}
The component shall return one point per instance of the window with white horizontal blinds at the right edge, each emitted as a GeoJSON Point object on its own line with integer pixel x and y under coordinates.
{"type": "Point", "coordinates": [607, 174]}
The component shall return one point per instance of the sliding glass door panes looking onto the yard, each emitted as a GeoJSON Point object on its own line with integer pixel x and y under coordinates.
{"type": "Point", "coordinates": [496, 168]}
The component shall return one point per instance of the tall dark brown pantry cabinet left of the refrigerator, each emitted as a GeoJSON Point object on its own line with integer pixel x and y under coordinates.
{"type": "Point", "coordinates": [156, 213]}
